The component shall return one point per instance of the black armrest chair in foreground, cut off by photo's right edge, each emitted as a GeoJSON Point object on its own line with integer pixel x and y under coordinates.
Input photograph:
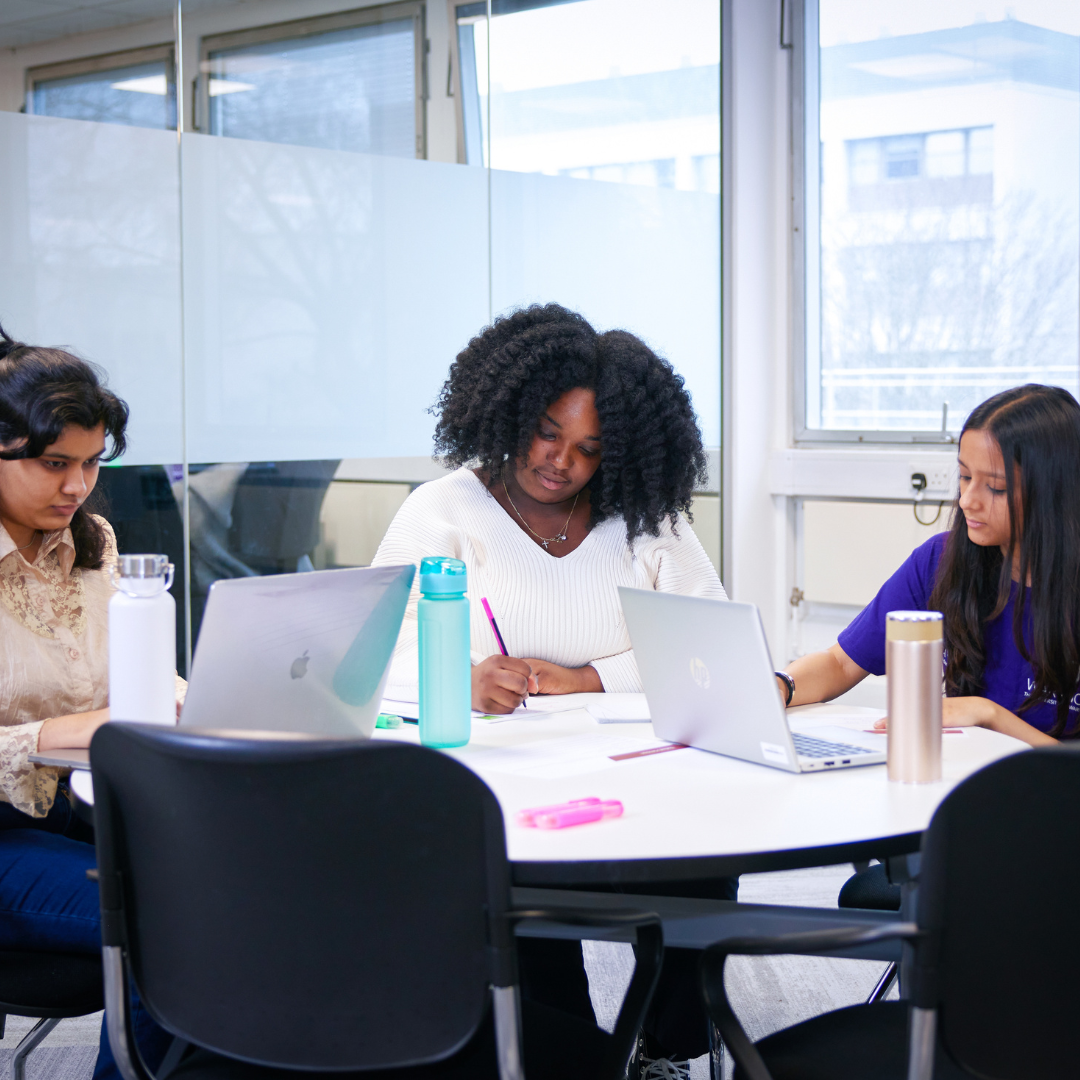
{"type": "Point", "coordinates": [993, 973]}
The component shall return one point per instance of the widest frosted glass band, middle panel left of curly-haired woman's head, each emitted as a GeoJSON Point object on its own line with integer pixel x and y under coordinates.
{"type": "Point", "coordinates": [327, 294]}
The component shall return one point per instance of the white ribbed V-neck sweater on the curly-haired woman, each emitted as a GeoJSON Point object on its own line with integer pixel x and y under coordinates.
{"type": "Point", "coordinates": [564, 611]}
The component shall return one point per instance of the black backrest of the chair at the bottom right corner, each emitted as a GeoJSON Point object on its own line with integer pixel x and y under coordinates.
{"type": "Point", "coordinates": [1001, 868]}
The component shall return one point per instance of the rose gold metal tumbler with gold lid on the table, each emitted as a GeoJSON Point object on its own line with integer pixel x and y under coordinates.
{"type": "Point", "coordinates": [913, 661]}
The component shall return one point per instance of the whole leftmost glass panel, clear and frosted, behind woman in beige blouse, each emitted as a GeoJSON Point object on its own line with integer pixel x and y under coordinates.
{"type": "Point", "coordinates": [90, 229]}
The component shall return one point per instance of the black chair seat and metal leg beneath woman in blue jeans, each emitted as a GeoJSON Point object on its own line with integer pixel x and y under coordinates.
{"type": "Point", "coordinates": [51, 988]}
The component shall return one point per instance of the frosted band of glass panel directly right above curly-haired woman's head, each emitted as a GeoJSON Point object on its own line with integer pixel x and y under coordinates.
{"type": "Point", "coordinates": [640, 259]}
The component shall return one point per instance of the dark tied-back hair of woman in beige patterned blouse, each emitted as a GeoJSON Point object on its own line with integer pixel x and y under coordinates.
{"type": "Point", "coordinates": [43, 391]}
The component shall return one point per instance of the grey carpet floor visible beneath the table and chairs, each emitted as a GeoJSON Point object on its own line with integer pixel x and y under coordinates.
{"type": "Point", "coordinates": [768, 993]}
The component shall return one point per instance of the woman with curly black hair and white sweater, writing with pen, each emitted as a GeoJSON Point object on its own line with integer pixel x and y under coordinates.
{"type": "Point", "coordinates": [576, 455]}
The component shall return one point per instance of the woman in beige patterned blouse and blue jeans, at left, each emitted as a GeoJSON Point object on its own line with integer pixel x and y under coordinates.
{"type": "Point", "coordinates": [58, 424]}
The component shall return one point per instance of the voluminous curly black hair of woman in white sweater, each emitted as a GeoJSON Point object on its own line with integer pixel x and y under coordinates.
{"type": "Point", "coordinates": [652, 454]}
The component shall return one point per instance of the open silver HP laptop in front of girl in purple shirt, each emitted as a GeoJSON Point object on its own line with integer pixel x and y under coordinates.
{"type": "Point", "coordinates": [710, 683]}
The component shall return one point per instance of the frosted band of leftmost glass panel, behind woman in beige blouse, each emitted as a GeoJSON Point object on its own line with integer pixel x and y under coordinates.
{"type": "Point", "coordinates": [90, 235]}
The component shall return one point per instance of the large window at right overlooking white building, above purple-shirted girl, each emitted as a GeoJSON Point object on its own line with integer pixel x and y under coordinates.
{"type": "Point", "coordinates": [941, 154]}
